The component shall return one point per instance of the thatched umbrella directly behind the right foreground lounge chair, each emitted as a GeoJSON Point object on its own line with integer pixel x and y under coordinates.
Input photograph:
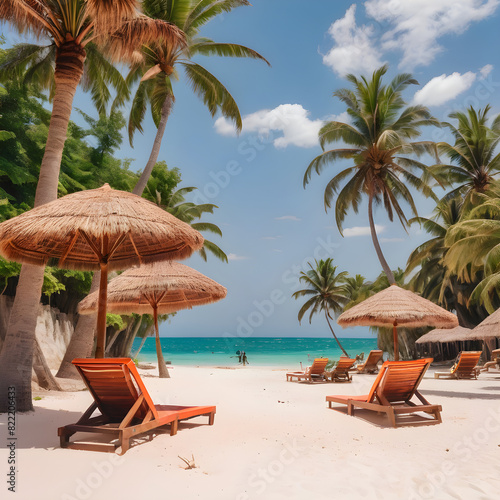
{"type": "Point", "coordinates": [395, 307]}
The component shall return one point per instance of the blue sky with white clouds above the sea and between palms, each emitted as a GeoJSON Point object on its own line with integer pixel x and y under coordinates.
{"type": "Point", "coordinates": [273, 226]}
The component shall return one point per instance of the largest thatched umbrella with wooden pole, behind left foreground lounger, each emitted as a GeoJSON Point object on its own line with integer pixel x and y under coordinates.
{"type": "Point", "coordinates": [98, 229]}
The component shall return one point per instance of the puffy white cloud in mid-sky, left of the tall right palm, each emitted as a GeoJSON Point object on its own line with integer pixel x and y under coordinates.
{"type": "Point", "coordinates": [291, 121]}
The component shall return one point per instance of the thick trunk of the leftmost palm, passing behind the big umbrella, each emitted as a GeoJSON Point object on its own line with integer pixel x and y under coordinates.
{"type": "Point", "coordinates": [16, 358]}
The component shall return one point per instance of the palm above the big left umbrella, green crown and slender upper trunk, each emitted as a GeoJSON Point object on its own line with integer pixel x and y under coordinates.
{"type": "Point", "coordinates": [161, 62]}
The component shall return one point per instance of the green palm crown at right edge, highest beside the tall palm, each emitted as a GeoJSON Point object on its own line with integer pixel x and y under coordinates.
{"type": "Point", "coordinates": [474, 154]}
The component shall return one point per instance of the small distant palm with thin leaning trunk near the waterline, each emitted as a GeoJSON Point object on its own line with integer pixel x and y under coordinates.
{"type": "Point", "coordinates": [327, 292]}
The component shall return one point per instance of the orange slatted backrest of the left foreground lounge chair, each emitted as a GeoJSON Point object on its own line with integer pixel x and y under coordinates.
{"type": "Point", "coordinates": [115, 385]}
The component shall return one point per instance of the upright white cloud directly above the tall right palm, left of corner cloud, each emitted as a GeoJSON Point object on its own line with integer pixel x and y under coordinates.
{"type": "Point", "coordinates": [354, 49]}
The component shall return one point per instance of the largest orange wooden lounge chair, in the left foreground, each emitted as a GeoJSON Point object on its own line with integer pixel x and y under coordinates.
{"type": "Point", "coordinates": [125, 406]}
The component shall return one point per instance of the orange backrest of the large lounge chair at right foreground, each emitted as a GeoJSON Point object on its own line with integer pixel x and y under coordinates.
{"type": "Point", "coordinates": [397, 381]}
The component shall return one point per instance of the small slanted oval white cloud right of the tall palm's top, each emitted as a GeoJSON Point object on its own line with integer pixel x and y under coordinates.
{"type": "Point", "coordinates": [444, 88]}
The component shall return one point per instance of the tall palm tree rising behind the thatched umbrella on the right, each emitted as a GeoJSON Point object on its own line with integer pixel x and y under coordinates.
{"type": "Point", "coordinates": [380, 132]}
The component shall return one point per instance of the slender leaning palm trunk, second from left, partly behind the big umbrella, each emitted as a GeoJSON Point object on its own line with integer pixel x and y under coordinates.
{"type": "Point", "coordinates": [82, 340]}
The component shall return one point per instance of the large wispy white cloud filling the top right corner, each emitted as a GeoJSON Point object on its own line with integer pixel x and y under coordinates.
{"type": "Point", "coordinates": [417, 25]}
